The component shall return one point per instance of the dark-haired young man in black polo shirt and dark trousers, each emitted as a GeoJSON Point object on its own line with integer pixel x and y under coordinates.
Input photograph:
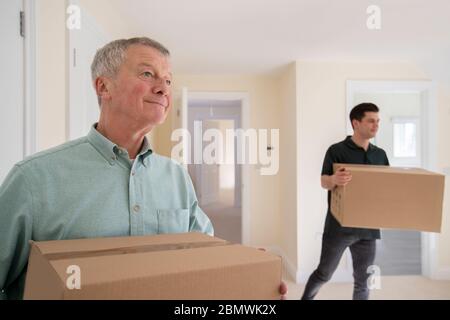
{"type": "Point", "coordinates": [355, 149]}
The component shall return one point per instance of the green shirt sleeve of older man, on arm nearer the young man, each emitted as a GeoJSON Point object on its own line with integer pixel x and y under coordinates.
{"type": "Point", "coordinates": [198, 220]}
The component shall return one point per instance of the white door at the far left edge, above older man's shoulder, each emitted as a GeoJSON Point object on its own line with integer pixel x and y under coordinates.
{"type": "Point", "coordinates": [11, 86]}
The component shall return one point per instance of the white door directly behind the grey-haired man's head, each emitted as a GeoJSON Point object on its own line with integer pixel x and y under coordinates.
{"type": "Point", "coordinates": [83, 103]}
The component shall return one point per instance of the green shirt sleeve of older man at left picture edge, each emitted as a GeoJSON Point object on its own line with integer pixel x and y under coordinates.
{"type": "Point", "coordinates": [15, 228]}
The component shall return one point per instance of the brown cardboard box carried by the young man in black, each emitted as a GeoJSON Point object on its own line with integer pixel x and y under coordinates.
{"type": "Point", "coordinates": [389, 197]}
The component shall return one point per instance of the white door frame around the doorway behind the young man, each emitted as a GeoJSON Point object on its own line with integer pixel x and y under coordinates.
{"type": "Point", "coordinates": [427, 89]}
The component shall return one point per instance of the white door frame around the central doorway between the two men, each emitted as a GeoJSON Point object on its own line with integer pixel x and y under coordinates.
{"type": "Point", "coordinates": [245, 169]}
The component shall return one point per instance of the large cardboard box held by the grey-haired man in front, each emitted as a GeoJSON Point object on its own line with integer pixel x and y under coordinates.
{"type": "Point", "coordinates": [167, 266]}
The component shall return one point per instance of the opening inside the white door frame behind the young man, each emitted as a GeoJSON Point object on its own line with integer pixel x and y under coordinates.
{"type": "Point", "coordinates": [398, 251]}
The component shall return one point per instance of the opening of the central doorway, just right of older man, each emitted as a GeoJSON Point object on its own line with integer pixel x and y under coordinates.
{"type": "Point", "coordinates": [217, 184]}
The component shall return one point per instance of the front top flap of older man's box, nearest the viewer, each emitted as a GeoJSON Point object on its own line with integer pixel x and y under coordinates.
{"type": "Point", "coordinates": [145, 265]}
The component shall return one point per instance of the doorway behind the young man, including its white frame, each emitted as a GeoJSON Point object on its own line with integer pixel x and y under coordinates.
{"type": "Point", "coordinates": [406, 115]}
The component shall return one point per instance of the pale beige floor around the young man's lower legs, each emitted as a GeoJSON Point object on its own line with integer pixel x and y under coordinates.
{"type": "Point", "coordinates": [392, 288]}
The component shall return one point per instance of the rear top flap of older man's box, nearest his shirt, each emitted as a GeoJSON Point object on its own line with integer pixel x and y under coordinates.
{"type": "Point", "coordinates": [113, 243]}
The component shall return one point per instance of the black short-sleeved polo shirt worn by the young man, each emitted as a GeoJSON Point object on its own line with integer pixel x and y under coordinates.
{"type": "Point", "coordinates": [348, 152]}
